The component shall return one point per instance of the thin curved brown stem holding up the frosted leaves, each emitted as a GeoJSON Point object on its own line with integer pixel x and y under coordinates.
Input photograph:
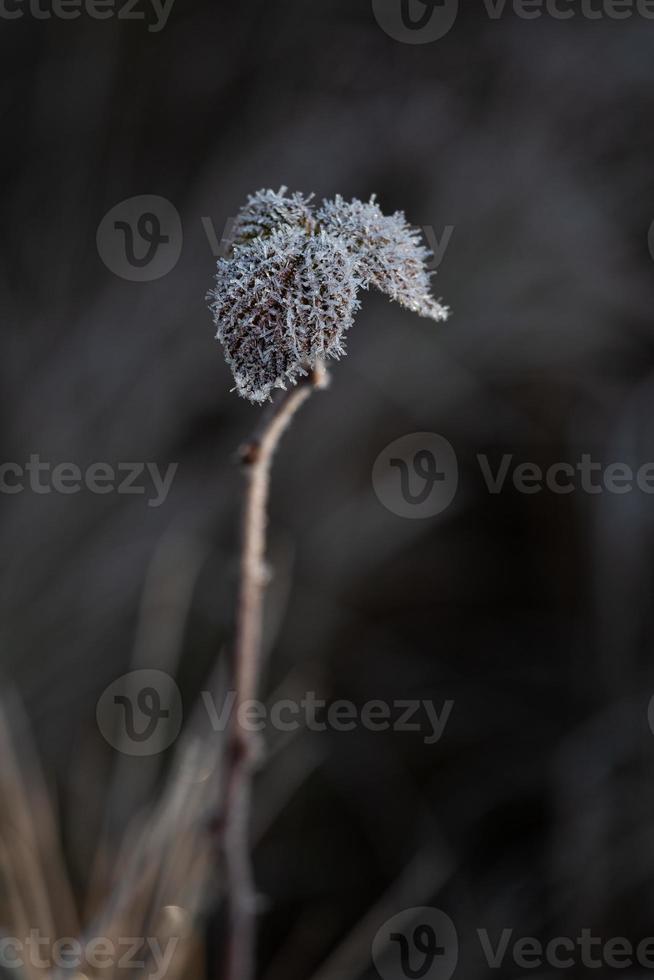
{"type": "Point", "coordinates": [256, 456]}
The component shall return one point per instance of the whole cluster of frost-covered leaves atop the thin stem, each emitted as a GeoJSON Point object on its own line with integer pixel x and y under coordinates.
{"type": "Point", "coordinates": [287, 292]}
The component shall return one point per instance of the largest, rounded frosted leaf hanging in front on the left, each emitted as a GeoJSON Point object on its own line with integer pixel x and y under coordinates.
{"type": "Point", "coordinates": [281, 303]}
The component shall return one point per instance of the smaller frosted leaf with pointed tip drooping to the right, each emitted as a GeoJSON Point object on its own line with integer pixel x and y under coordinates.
{"type": "Point", "coordinates": [390, 253]}
